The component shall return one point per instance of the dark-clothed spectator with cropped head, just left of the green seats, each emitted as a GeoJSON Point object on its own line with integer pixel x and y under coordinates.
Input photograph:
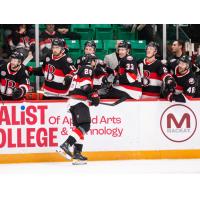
{"type": "Point", "coordinates": [64, 30]}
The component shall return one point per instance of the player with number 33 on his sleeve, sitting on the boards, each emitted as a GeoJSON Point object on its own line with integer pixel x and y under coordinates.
{"type": "Point", "coordinates": [127, 82]}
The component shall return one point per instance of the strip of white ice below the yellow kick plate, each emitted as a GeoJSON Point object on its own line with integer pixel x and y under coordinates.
{"type": "Point", "coordinates": [102, 167]}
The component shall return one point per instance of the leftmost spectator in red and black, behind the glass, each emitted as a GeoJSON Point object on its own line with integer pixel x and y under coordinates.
{"type": "Point", "coordinates": [21, 41]}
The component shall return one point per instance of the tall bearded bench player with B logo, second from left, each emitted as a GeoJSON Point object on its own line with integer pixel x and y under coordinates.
{"type": "Point", "coordinates": [55, 69]}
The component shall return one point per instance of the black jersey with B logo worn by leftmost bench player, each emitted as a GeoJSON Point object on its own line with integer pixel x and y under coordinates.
{"type": "Point", "coordinates": [10, 80]}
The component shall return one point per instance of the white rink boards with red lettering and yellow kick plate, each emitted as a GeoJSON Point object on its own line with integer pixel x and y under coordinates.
{"type": "Point", "coordinates": [31, 131]}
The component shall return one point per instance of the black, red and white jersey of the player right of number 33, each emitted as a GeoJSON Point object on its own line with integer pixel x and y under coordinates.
{"type": "Point", "coordinates": [153, 75]}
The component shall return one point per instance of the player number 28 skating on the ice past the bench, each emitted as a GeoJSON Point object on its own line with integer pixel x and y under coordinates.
{"type": "Point", "coordinates": [81, 90]}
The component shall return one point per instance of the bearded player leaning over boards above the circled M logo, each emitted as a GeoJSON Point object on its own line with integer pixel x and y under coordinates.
{"type": "Point", "coordinates": [185, 82]}
